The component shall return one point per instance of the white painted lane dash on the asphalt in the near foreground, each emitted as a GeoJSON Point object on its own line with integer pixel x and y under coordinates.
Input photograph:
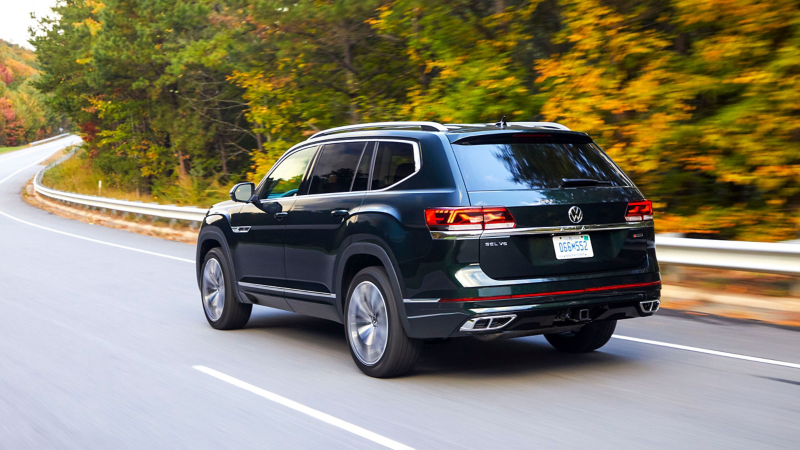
{"type": "Point", "coordinates": [347, 426]}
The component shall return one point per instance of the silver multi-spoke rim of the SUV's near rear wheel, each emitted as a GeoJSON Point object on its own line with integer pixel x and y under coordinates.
{"type": "Point", "coordinates": [367, 323]}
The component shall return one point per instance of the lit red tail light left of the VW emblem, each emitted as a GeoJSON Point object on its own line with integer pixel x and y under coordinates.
{"type": "Point", "coordinates": [481, 218]}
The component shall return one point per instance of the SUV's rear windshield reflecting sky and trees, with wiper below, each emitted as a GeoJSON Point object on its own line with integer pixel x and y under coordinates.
{"type": "Point", "coordinates": [534, 165]}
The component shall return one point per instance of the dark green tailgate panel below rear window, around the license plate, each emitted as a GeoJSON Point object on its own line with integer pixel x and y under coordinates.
{"type": "Point", "coordinates": [529, 251]}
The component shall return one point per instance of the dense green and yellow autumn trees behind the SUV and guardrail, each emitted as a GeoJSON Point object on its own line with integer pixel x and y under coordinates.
{"type": "Point", "coordinates": [697, 100]}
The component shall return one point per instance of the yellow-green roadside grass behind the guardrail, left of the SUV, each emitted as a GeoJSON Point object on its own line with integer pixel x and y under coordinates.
{"type": "Point", "coordinates": [78, 174]}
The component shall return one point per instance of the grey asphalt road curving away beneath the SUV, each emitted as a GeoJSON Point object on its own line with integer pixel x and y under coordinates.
{"type": "Point", "coordinates": [99, 343]}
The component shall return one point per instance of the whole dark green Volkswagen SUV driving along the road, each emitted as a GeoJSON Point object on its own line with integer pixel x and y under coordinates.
{"type": "Point", "coordinates": [410, 231]}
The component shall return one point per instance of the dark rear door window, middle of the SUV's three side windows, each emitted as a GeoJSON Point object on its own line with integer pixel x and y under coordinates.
{"type": "Point", "coordinates": [336, 167]}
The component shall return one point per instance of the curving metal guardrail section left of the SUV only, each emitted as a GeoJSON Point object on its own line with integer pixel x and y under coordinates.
{"type": "Point", "coordinates": [189, 213]}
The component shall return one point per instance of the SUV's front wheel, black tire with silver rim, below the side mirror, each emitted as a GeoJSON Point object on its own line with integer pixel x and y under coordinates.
{"type": "Point", "coordinates": [232, 315]}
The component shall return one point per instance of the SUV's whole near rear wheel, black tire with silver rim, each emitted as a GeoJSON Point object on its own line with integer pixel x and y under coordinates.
{"type": "Point", "coordinates": [376, 358]}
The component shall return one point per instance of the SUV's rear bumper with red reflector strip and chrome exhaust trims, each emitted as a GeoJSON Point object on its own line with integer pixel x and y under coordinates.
{"type": "Point", "coordinates": [431, 318]}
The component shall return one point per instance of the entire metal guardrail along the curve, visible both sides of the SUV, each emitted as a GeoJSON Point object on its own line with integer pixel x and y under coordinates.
{"type": "Point", "coordinates": [733, 255]}
